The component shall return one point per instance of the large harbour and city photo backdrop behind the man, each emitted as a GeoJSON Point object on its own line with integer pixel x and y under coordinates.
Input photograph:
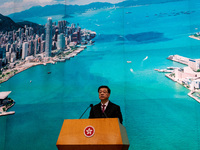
{"type": "Point", "coordinates": [54, 54]}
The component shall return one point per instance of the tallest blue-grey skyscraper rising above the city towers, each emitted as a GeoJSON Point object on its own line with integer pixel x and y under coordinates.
{"type": "Point", "coordinates": [48, 45]}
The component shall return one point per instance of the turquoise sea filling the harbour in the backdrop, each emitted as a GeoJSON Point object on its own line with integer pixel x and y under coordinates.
{"type": "Point", "coordinates": [158, 114]}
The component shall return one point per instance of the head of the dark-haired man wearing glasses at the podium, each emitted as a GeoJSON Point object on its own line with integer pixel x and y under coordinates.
{"type": "Point", "coordinates": [104, 93]}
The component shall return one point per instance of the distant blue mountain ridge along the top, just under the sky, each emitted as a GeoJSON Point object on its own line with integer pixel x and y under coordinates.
{"type": "Point", "coordinates": [69, 10]}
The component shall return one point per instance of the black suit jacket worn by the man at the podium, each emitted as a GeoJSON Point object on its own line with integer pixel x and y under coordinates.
{"type": "Point", "coordinates": [112, 111]}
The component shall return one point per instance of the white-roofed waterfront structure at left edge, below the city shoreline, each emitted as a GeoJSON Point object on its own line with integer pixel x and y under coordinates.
{"type": "Point", "coordinates": [6, 103]}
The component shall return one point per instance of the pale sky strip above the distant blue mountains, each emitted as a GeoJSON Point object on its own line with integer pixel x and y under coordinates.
{"type": "Point", "coordinates": [11, 6]}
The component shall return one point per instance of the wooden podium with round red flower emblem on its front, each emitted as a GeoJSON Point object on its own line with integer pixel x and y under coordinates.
{"type": "Point", "coordinates": [92, 134]}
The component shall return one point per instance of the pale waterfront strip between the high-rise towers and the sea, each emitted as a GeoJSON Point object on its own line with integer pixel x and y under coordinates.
{"type": "Point", "coordinates": [20, 68]}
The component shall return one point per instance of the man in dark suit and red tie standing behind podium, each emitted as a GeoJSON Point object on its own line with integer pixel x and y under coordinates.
{"type": "Point", "coordinates": [105, 109]}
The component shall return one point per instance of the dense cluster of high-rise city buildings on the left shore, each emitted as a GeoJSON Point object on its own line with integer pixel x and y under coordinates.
{"type": "Point", "coordinates": [23, 46]}
